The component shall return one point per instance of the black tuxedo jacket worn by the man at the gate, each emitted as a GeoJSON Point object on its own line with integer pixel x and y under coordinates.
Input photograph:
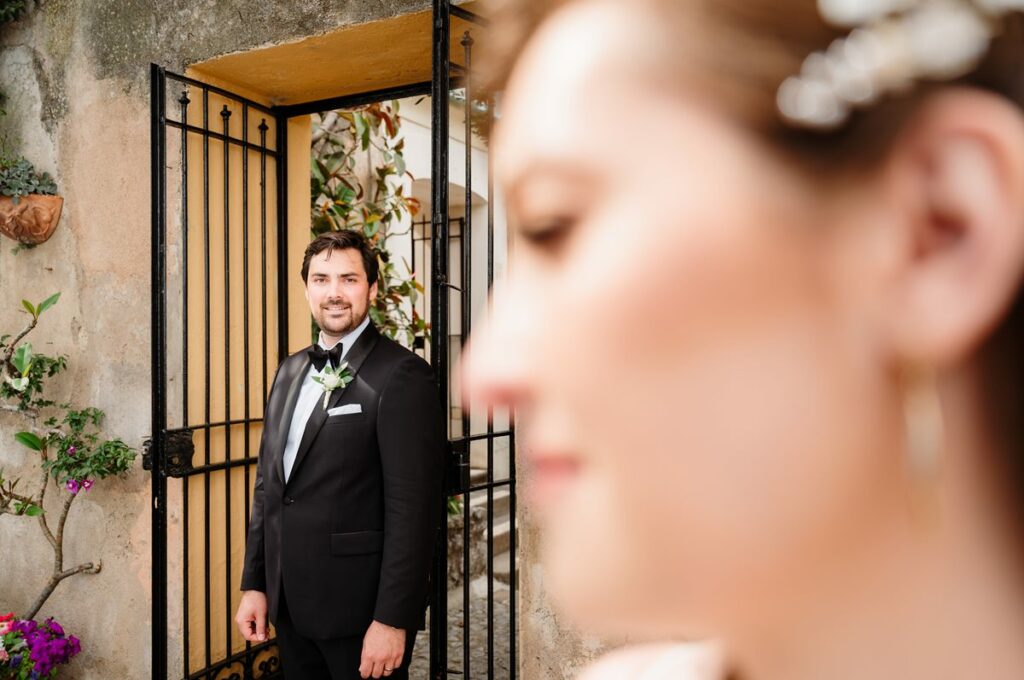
{"type": "Point", "coordinates": [351, 537]}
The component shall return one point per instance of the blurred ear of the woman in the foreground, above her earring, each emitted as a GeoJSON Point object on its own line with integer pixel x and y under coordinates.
{"type": "Point", "coordinates": [956, 178]}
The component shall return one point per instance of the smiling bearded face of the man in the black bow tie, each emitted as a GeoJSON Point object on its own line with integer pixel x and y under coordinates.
{"type": "Point", "coordinates": [338, 292]}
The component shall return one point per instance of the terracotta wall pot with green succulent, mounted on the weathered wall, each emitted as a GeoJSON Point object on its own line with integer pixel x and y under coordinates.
{"type": "Point", "coordinates": [30, 208]}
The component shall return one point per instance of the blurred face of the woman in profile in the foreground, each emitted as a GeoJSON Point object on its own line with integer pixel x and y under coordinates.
{"type": "Point", "coordinates": [705, 415]}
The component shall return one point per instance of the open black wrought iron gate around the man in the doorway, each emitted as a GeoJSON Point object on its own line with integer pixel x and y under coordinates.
{"type": "Point", "coordinates": [221, 315]}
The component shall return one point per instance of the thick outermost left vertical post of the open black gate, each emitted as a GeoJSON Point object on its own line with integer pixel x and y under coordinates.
{"type": "Point", "coordinates": [158, 145]}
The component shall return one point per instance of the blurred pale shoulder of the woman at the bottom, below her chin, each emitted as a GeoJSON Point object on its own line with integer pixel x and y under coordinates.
{"type": "Point", "coordinates": [660, 662]}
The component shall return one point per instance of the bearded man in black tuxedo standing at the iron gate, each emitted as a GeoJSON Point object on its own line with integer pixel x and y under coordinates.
{"type": "Point", "coordinates": [349, 487]}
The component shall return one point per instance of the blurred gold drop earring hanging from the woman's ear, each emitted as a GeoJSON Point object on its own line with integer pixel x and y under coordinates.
{"type": "Point", "coordinates": [925, 428]}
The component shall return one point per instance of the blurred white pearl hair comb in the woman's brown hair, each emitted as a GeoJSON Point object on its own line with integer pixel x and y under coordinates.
{"type": "Point", "coordinates": [893, 45]}
